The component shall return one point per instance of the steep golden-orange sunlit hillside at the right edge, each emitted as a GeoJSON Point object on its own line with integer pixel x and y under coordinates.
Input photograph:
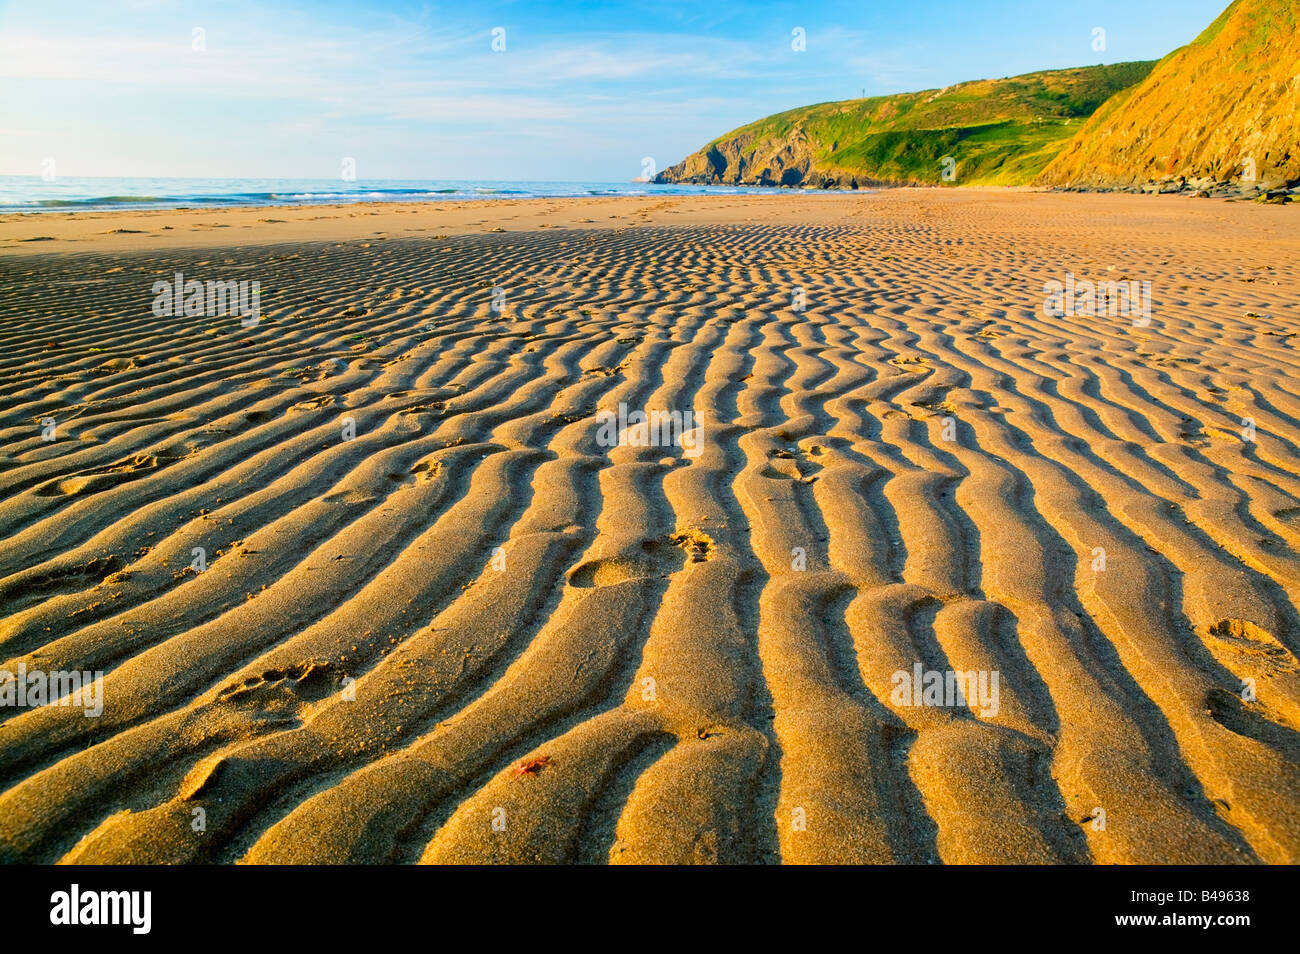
{"type": "Point", "coordinates": [1216, 111]}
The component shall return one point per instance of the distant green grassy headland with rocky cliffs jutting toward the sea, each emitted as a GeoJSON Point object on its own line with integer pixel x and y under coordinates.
{"type": "Point", "coordinates": [999, 132]}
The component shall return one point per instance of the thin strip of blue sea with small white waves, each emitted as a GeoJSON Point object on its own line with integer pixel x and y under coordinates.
{"type": "Point", "coordinates": [72, 194]}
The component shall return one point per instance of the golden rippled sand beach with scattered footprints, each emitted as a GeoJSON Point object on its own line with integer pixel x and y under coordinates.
{"type": "Point", "coordinates": [670, 658]}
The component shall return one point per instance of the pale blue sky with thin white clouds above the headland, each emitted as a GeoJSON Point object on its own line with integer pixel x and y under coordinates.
{"type": "Point", "coordinates": [415, 90]}
